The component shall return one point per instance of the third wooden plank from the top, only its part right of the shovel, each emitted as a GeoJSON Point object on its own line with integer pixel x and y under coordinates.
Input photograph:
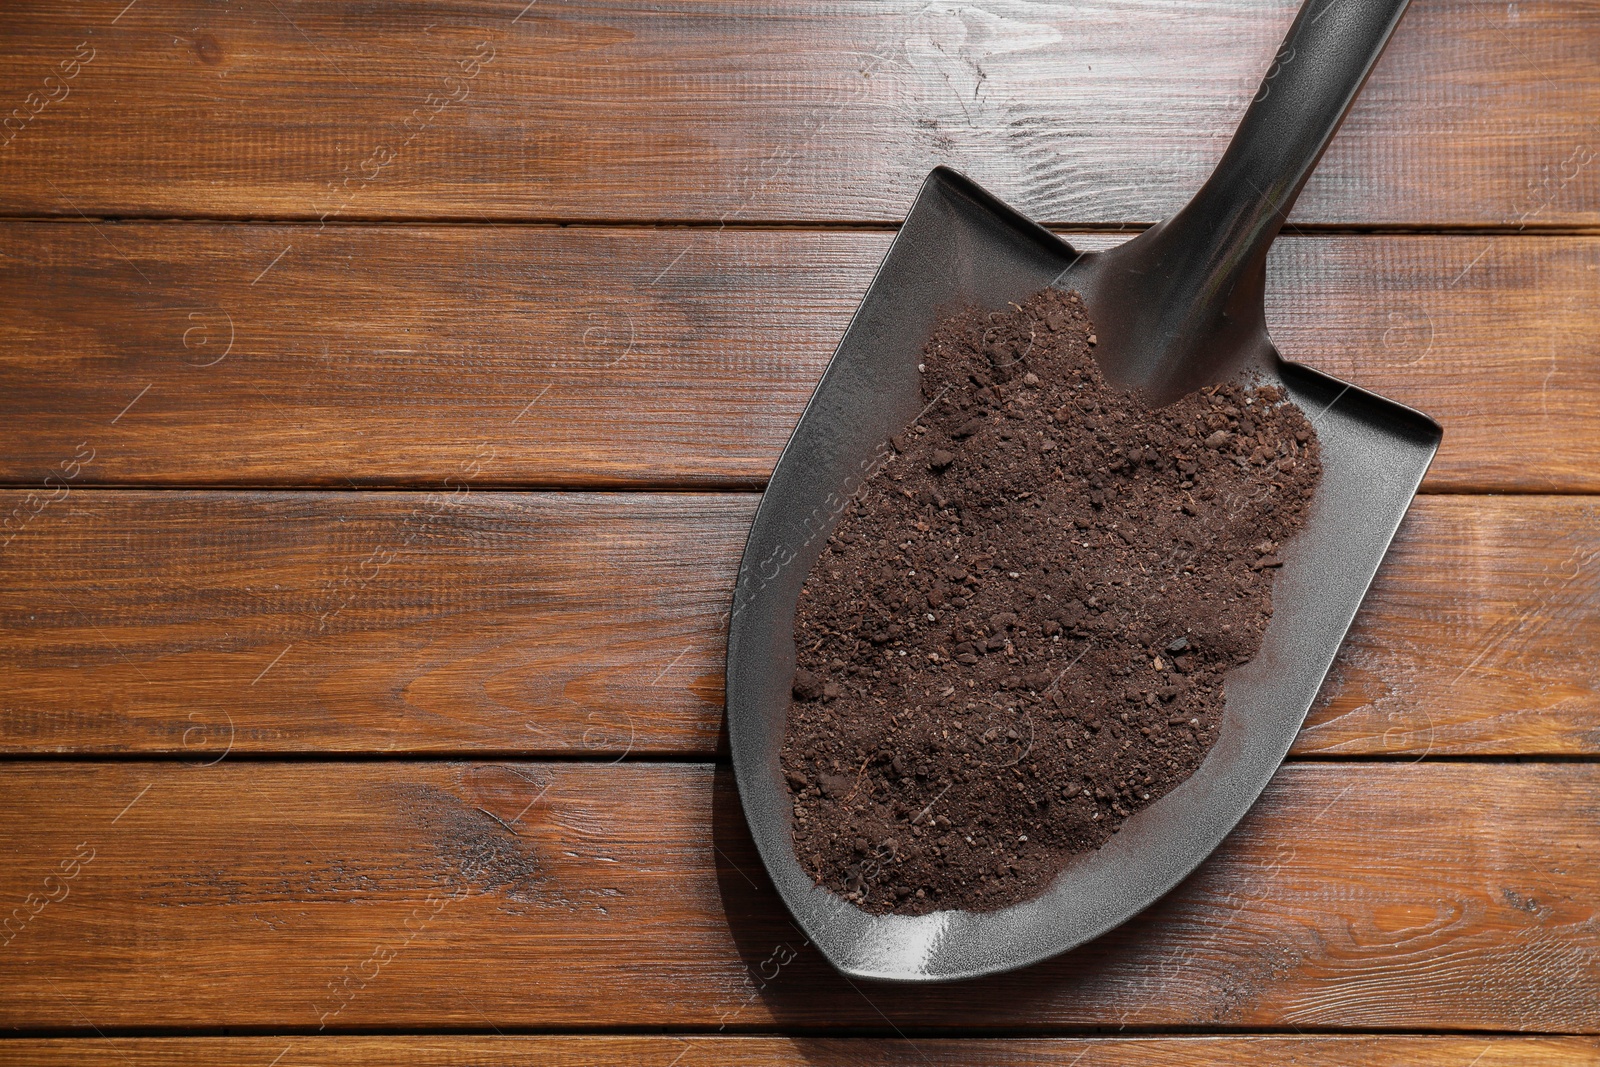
{"type": "Point", "coordinates": [1474, 639]}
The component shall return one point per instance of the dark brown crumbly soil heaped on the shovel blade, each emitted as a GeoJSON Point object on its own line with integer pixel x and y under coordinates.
{"type": "Point", "coordinates": [1018, 634]}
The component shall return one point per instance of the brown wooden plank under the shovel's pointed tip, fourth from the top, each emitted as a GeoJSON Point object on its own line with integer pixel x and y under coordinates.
{"type": "Point", "coordinates": [494, 897]}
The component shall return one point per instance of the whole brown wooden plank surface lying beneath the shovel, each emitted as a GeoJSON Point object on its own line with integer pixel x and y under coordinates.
{"type": "Point", "coordinates": [386, 391]}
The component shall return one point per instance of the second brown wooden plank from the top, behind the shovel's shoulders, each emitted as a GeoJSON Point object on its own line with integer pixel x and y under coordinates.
{"type": "Point", "coordinates": [214, 354]}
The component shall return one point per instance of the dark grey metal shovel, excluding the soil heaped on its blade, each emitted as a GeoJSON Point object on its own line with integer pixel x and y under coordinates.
{"type": "Point", "coordinates": [1178, 308]}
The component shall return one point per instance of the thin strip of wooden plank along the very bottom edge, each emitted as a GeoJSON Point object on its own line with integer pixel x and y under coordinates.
{"type": "Point", "coordinates": [802, 1052]}
